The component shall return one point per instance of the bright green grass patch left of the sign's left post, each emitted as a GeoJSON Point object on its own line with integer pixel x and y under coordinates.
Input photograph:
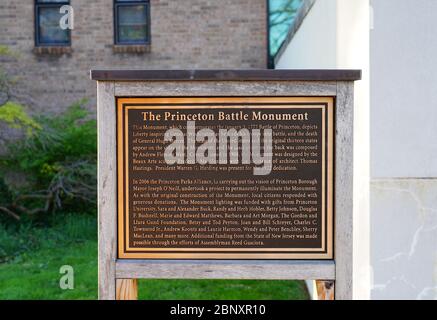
{"type": "Point", "coordinates": [35, 275]}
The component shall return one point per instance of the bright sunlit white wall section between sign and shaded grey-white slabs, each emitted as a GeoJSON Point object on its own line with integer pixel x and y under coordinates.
{"type": "Point", "coordinates": [335, 34]}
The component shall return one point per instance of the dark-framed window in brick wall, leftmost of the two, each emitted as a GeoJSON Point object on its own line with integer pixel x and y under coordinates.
{"type": "Point", "coordinates": [47, 29]}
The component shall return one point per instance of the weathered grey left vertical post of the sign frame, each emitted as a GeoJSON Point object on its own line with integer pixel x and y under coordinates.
{"type": "Point", "coordinates": [107, 192]}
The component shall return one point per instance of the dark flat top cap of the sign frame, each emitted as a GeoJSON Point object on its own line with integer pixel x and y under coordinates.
{"type": "Point", "coordinates": [226, 75]}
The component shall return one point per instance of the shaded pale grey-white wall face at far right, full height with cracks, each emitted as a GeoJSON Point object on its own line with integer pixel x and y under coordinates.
{"type": "Point", "coordinates": [404, 149]}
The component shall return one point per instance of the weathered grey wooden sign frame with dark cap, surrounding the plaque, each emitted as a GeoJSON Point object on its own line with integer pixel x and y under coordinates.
{"type": "Point", "coordinates": [115, 275]}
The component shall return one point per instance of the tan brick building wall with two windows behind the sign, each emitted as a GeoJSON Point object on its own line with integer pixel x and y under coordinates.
{"type": "Point", "coordinates": [53, 65]}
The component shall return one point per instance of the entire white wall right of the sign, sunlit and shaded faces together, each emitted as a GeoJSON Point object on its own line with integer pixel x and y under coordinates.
{"type": "Point", "coordinates": [403, 133]}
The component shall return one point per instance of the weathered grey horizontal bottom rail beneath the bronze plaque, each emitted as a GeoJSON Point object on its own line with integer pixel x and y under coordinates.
{"type": "Point", "coordinates": [226, 269]}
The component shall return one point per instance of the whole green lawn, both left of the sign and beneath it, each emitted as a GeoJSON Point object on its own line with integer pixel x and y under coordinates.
{"type": "Point", "coordinates": [34, 272]}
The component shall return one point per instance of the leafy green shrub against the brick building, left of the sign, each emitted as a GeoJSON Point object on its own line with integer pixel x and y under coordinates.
{"type": "Point", "coordinates": [52, 168]}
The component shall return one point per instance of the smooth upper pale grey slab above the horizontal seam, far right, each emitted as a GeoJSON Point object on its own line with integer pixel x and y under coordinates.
{"type": "Point", "coordinates": [404, 91]}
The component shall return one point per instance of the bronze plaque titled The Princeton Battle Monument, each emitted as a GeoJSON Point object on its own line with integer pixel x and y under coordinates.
{"type": "Point", "coordinates": [225, 177]}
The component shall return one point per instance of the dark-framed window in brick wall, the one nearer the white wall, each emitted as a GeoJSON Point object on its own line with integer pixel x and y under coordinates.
{"type": "Point", "coordinates": [132, 22]}
